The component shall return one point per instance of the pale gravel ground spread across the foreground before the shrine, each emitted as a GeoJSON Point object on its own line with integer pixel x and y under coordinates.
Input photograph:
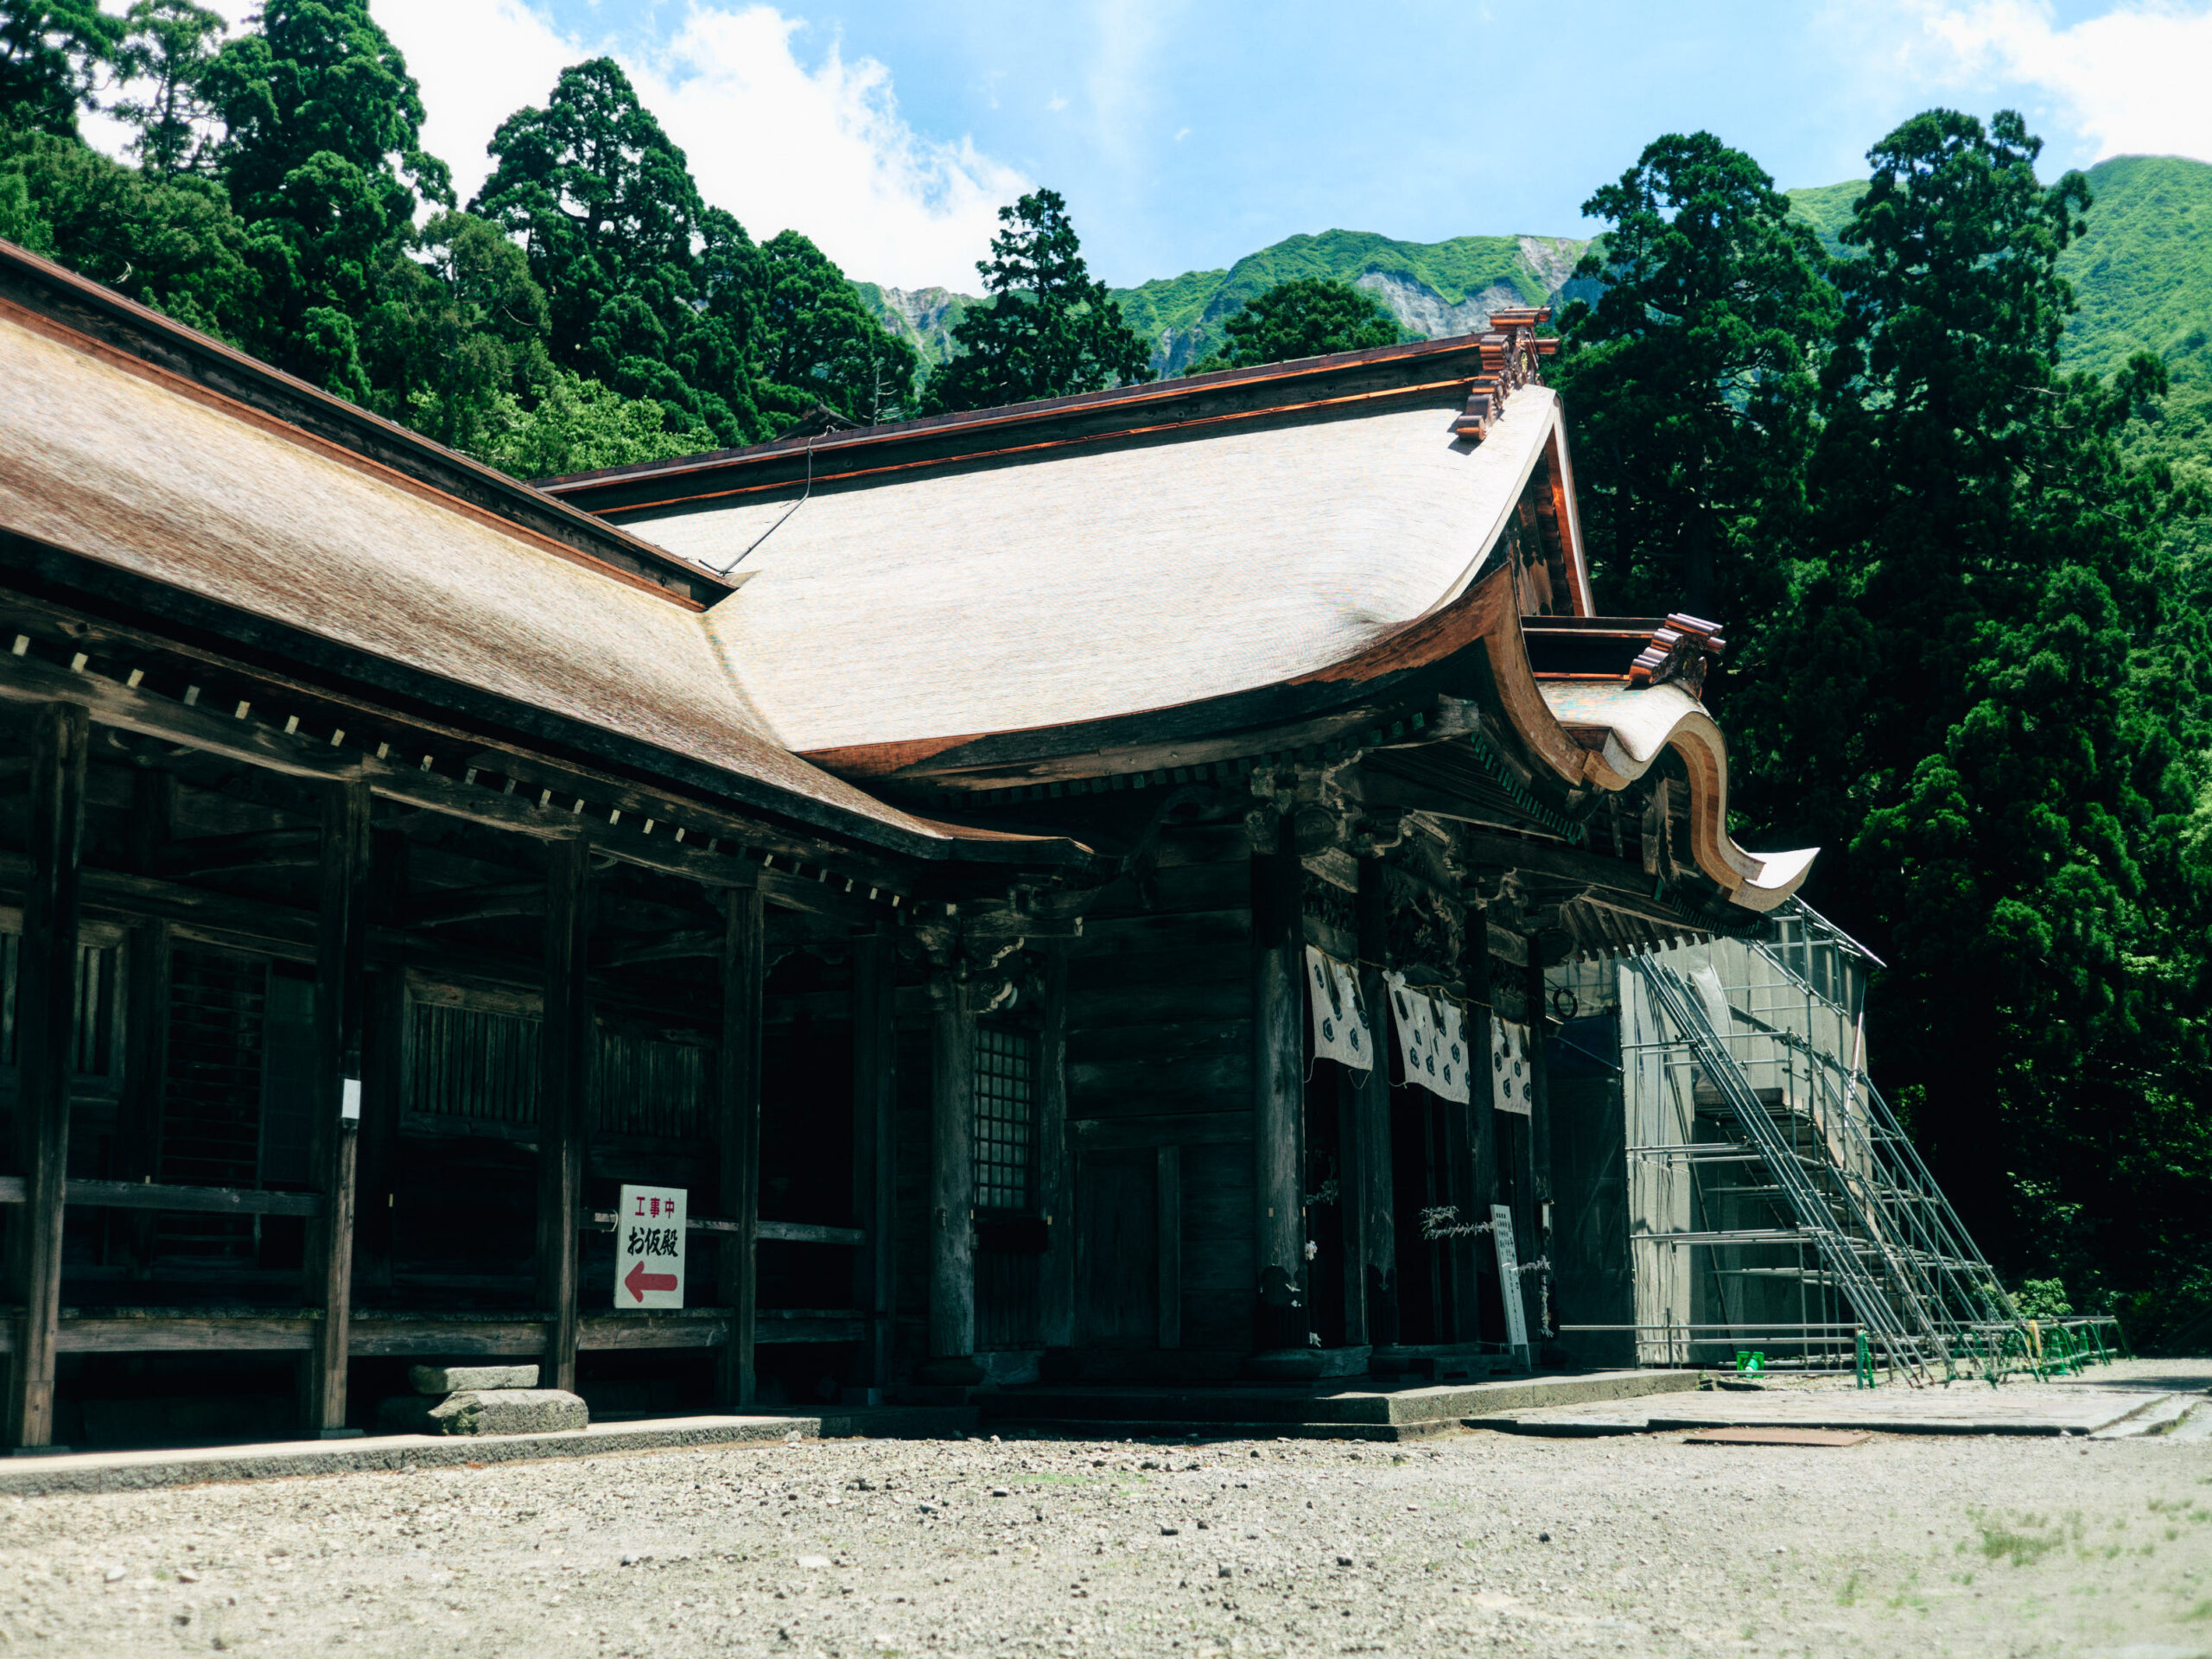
{"type": "Point", "coordinates": [1056, 1547]}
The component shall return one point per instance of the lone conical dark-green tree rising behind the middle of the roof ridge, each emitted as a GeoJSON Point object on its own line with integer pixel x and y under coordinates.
{"type": "Point", "coordinates": [1050, 331]}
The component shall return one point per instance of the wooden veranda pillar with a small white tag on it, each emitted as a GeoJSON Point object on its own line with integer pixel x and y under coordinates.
{"type": "Point", "coordinates": [342, 941]}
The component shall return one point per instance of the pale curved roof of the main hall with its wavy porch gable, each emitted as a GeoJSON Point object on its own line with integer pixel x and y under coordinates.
{"type": "Point", "coordinates": [895, 623]}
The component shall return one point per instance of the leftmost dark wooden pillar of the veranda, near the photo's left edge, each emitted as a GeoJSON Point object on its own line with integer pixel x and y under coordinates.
{"type": "Point", "coordinates": [45, 1036]}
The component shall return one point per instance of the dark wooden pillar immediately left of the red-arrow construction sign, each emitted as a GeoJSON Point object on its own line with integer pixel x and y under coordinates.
{"type": "Point", "coordinates": [563, 1100]}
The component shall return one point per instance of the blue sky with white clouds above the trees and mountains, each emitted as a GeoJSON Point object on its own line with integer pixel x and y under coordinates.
{"type": "Point", "coordinates": [1187, 136]}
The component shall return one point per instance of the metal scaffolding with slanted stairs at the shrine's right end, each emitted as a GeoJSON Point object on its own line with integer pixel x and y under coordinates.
{"type": "Point", "coordinates": [1799, 1178]}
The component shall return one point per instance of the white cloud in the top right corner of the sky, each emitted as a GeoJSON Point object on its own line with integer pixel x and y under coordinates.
{"type": "Point", "coordinates": [2131, 81]}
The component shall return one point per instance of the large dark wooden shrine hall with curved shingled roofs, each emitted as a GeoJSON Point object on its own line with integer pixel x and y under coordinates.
{"type": "Point", "coordinates": [917, 844]}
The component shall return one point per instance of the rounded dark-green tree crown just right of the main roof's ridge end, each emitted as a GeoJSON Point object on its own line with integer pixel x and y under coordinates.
{"type": "Point", "coordinates": [1691, 382]}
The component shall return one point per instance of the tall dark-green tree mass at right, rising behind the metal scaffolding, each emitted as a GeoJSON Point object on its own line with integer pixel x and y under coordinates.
{"type": "Point", "coordinates": [1990, 700]}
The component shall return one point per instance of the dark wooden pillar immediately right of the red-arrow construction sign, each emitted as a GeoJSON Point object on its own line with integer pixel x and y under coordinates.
{"type": "Point", "coordinates": [738, 1136]}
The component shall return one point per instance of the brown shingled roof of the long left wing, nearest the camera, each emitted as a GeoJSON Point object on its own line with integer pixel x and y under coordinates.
{"type": "Point", "coordinates": [138, 470]}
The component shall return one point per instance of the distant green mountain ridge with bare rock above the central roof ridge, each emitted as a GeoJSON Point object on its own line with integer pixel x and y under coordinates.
{"type": "Point", "coordinates": [1434, 289]}
